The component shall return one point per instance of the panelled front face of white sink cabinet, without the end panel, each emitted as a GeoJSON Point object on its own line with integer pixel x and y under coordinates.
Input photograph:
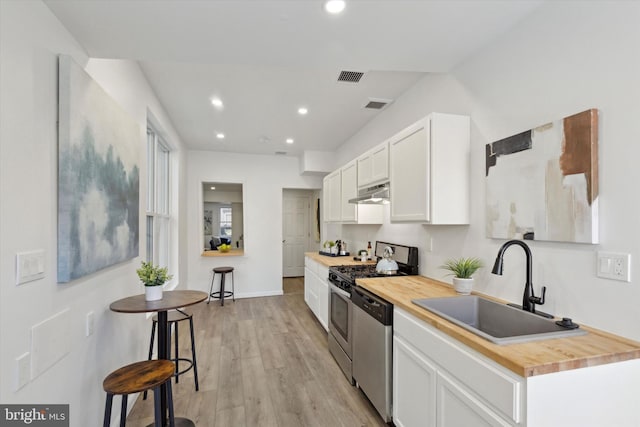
{"type": "Point", "coordinates": [437, 383]}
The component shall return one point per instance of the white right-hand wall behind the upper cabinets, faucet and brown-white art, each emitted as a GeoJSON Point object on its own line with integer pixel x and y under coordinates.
{"type": "Point", "coordinates": [565, 58]}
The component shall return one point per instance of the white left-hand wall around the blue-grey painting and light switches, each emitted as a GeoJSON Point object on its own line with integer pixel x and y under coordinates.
{"type": "Point", "coordinates": [30, 40]}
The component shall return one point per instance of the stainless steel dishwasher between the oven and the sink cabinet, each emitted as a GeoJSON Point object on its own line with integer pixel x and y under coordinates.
{"type": "Point", "coordinates": [372, 352]}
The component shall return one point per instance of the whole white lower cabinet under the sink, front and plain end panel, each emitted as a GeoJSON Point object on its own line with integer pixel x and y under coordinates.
{"type": "Point", "coordinates": [441, 382]}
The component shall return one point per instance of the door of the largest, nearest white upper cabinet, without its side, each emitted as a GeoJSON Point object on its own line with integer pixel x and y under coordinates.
{"type": "Point", "coordinates": [409, 173]}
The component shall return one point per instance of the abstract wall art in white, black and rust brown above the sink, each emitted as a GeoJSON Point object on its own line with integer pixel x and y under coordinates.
{"type": "Point", "coordinates": [542, 184]}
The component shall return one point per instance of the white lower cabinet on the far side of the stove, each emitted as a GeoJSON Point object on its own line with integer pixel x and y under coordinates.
{"type": "Point", "coordinates": [316, 290]}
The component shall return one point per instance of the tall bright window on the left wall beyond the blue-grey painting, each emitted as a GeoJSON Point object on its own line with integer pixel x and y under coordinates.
{"type": "Point", "coordinates": [158, 212]}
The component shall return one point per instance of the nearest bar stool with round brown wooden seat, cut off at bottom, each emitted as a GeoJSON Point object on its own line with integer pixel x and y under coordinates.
{"type": "Point", "coordinates": [137, 377]}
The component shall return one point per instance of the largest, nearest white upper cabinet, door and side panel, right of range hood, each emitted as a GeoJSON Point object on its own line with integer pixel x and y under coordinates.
{"type": "Point", "coordinates": [429, 171]}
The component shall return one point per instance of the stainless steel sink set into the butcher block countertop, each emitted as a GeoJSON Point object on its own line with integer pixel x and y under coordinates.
{"type": "Point", "coordinates": [494, 321]}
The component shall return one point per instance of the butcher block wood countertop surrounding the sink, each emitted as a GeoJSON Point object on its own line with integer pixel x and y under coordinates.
{"type": "Point", "coordinates": [526, 359]}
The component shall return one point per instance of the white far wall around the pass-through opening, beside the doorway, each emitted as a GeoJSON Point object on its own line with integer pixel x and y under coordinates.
{"type": "Point", "coordinates": [259, 271]}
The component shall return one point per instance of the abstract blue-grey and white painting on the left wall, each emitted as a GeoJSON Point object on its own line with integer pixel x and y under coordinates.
{"type": "Point", "coordinates": [98, 177]}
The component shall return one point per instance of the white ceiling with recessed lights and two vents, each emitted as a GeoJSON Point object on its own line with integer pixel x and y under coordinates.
{"type": "Point", "coordinates": [265, 59]}
